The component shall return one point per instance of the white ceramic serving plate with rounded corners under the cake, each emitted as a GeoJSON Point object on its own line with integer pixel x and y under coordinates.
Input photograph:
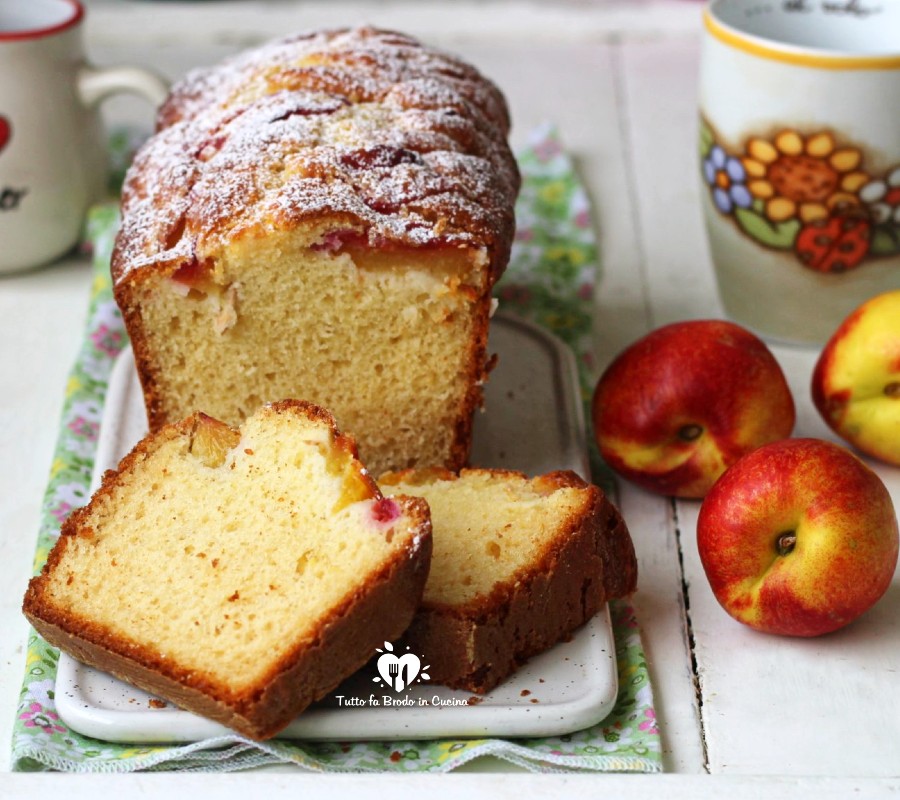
{"type": "Point", "coordinates": [533, 422]}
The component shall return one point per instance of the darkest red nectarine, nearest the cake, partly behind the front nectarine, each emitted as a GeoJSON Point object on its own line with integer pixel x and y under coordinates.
{"type": "Point", "coordinates": [680, 405]}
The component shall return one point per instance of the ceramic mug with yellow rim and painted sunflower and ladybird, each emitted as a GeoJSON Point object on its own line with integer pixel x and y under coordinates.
{"type": "Point", "coordinates": [800, 159]}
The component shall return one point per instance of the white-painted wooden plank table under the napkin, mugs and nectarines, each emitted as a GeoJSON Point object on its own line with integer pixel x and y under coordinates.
{"type": "Point", "coordinates": [741, 714]}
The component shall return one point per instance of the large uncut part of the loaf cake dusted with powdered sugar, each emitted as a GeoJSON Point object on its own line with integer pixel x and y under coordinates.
{"type": "Point", "coordinates": [322, 218]}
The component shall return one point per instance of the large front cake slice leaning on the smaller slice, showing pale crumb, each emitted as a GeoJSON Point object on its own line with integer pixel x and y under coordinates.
{"type": "Point", "coordinates": [240, 574]}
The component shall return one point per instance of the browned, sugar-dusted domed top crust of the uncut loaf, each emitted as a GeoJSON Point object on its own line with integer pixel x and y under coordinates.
{"type": "Point", "coordinates": [368, 129]}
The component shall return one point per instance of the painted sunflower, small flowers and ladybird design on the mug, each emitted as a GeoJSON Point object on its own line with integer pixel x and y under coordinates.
{"type": "Point", "coordinates": [808, 193]}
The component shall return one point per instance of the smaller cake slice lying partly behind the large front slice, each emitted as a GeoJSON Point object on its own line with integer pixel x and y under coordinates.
{"type": "Point", "coordinates": [517, 566]}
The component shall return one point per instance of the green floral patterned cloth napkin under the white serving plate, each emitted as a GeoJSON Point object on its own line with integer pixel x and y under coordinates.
{"type": "Point", "coordinates": [550, 281]}
